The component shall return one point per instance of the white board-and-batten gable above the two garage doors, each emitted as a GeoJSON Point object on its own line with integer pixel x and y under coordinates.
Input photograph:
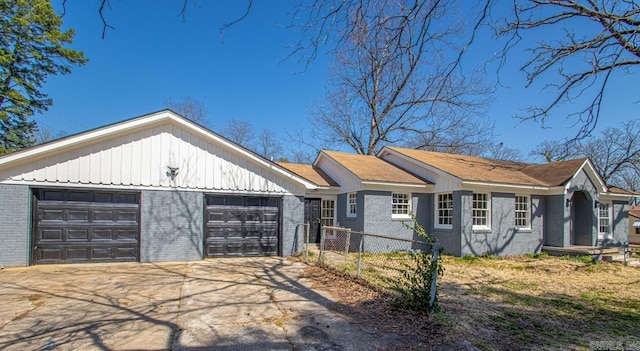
{"type": "Point", "coordinates": [138, 153]}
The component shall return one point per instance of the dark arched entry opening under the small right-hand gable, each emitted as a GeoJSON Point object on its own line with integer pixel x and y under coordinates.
{"type": "Point", "coordinates": [581, 219]}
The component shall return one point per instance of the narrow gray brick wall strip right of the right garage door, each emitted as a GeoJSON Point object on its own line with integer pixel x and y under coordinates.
{"type": "Point", "coordinates": [292, 231]}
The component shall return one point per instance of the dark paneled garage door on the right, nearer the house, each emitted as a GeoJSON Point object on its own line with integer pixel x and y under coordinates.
{"type": "Point", "coordinates": [241, 226]}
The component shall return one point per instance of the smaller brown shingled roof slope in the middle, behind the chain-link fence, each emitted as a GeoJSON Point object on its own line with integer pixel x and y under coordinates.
{"type": "Point", "coordinates": [372, 168]}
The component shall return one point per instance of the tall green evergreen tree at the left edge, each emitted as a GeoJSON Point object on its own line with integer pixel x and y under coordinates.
{"type": "Point", "coordinates": [31, 49]}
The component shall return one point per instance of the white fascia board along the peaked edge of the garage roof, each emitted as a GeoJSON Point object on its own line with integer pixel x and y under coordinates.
{"type": "Point", "coordinates": [145, 121]}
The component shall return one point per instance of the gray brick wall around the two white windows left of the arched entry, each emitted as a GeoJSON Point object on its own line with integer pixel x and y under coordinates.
{"type": "Point", "coordinates": [503, 238]}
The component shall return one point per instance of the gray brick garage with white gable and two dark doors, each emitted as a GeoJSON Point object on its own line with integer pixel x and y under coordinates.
{"type": "Point", "coordinates": [154, 188]}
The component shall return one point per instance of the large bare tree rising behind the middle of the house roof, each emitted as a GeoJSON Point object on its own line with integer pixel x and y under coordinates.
{"type": "Point", "coordinates": [395, 80]}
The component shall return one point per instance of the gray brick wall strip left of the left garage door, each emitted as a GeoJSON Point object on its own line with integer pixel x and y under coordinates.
{"type": "Point", "coordinates": [15, 225]}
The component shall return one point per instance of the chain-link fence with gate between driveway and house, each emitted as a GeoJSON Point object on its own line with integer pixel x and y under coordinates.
{"type": "Point", "coordinates": [378, 259]}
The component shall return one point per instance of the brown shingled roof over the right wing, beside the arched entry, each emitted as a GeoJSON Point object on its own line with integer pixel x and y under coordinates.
{"type": "Point", "coordinates": [471, 168]}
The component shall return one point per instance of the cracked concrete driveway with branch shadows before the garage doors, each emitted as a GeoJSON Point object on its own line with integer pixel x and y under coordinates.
{"type": "Point", "coordinates": [222, 304]}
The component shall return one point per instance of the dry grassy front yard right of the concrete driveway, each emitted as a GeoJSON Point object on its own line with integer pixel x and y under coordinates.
{"type": "Point", "coordinates": [524, 303]}
